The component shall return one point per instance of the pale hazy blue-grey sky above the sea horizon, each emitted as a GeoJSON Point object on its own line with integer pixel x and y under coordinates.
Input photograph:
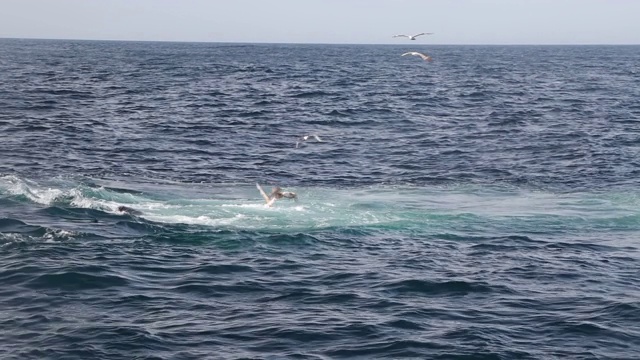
{"type": "Point", "coordinates": [327, 21]}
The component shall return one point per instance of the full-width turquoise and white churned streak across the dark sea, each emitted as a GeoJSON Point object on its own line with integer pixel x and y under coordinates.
{"type": "Point", "coordinates": [462, 209]}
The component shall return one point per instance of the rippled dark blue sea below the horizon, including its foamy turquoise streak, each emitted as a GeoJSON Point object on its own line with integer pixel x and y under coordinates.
{"type": "Point", "coordinates": [485, 205]}
